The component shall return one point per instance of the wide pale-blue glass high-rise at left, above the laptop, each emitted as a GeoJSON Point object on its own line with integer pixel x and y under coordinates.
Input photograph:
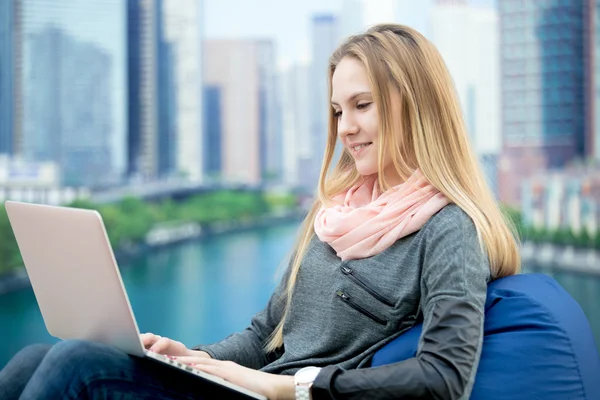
{"type": "Point", "coordinates": [73, 88]}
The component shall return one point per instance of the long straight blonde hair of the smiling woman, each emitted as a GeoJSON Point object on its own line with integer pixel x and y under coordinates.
{"type": "Point", "coordinates": [432, 138]}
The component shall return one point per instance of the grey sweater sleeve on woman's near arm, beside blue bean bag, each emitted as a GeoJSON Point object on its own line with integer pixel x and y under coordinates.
{"type": "Point", "coordinates": [453, 292]}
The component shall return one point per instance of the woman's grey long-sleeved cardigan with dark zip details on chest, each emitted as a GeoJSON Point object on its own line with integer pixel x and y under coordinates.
{"type": "Point", "coordinates": [343, 312]}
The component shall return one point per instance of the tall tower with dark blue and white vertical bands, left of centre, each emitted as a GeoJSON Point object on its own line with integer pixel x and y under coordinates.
{"type": "Point", "coordinates": [165, 89]}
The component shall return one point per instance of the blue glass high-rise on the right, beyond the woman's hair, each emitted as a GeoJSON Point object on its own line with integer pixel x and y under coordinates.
{"type": "Point", "coordinates": [543, 78]}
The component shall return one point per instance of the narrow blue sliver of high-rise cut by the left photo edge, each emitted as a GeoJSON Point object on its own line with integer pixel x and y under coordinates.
{"type": "Point", "coordinates": [7, 93]}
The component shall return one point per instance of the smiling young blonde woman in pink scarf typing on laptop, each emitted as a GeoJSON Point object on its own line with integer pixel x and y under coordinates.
{"type": "Point", "coordinates": [403, 230]}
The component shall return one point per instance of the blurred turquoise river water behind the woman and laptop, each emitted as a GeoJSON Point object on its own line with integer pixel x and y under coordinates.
{"type": "Point", "coordinates": [200, 292]}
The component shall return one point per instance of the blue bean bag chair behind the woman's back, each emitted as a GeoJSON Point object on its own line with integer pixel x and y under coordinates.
{"type": "Point", "coordinates": [538, 344]}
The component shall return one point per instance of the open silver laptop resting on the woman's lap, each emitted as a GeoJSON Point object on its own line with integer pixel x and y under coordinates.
{"type": "Point", "coordinates": [77, 282]}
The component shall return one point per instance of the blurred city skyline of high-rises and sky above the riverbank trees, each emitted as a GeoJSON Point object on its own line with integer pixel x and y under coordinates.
{"type": "Point", "coordinates": [119, 96]}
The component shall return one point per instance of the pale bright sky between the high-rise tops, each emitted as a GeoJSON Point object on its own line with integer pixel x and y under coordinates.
{"type": "Point", "coordinates": [286, 21]}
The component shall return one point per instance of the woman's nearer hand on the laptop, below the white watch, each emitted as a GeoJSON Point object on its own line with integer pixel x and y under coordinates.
{"type": "Point", "coordinates": [274, 387]}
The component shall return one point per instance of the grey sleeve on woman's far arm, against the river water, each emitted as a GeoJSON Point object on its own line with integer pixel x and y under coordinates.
{"type": "Point", "coordinates": [247, 347]}
